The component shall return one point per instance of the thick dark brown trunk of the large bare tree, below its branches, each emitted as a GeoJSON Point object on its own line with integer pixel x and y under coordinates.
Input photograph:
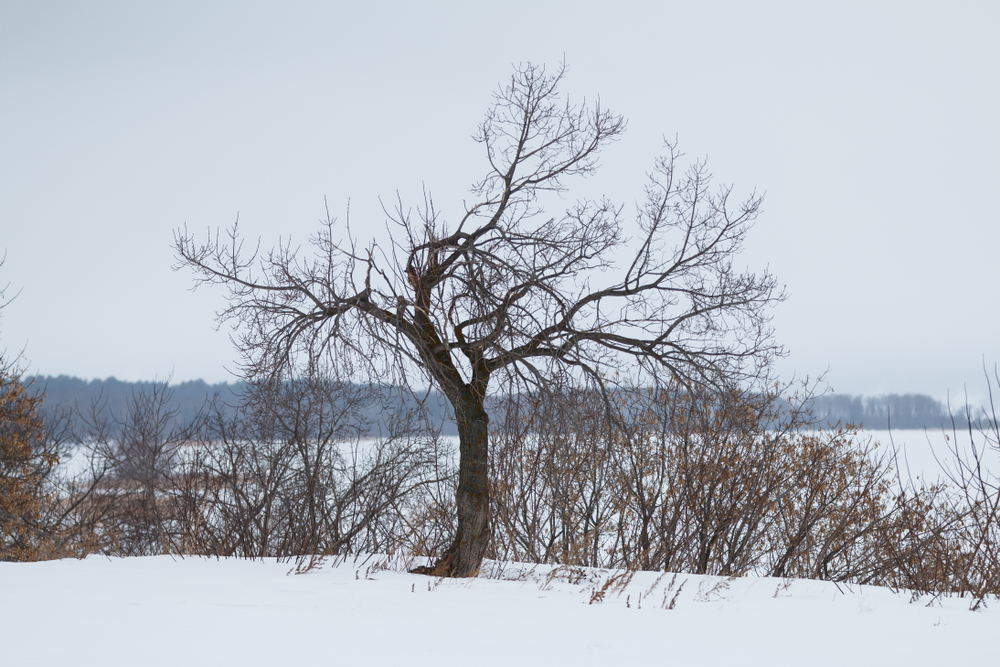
{"type": "Point", "coordinates": [465, 555]}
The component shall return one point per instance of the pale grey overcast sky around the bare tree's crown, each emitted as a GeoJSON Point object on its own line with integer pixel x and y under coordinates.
{"type": "Point", "coordinates": [873, 128]}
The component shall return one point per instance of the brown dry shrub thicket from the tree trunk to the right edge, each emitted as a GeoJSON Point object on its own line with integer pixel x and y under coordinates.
{"type": "Point", "coordinates": [727, 484]}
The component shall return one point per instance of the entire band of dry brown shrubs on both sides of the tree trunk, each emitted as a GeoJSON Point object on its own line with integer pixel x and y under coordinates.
{"type": "Point", "coordinates": [668, 479]}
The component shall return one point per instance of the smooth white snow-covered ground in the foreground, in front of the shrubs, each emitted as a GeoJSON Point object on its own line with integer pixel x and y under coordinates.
{"type": "Point", "coordinates": [201, 611]}
